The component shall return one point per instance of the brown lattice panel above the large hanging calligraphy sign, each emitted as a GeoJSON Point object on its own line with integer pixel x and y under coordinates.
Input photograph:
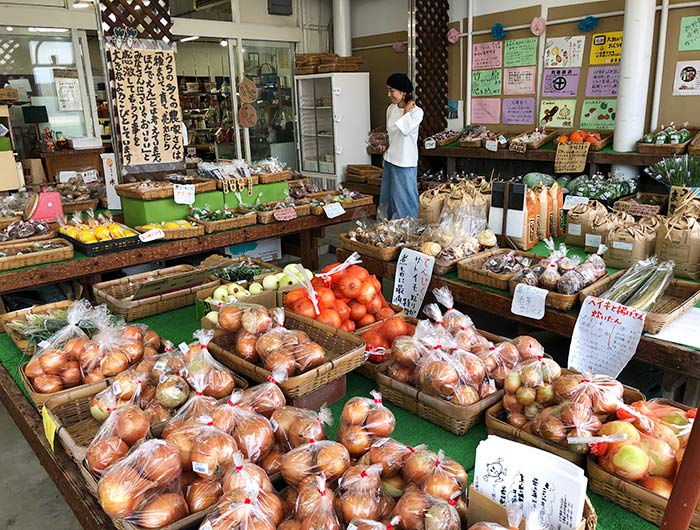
{"type": "Point", "coordinates": [150, 18]}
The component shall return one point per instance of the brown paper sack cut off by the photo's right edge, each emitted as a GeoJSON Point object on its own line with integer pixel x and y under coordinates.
{"type": "Point", "coordinates": [678, 239]}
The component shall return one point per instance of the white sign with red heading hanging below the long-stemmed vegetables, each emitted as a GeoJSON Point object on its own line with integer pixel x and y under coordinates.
{"type": "Point", "coordinates": [605, 337]}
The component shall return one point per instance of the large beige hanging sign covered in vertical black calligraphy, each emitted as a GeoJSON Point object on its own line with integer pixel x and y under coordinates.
{"type": "Point", "coordinates": [148, 106]}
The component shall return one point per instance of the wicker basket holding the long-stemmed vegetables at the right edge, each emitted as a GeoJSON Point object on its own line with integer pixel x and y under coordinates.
{"type": "Point", "coordinates": [679, 297]}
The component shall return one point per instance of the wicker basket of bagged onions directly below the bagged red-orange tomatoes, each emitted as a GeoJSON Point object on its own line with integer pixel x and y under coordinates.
{"type": "Point", "coordinates": [345, 353]}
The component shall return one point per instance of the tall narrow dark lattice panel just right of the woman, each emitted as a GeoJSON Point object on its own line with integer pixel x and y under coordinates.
{"type": "Point", "coordinates": [432, 17]}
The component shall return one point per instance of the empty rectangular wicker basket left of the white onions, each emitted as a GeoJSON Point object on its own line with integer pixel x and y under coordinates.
{"type": "Point", "coordinates": [116, 293]}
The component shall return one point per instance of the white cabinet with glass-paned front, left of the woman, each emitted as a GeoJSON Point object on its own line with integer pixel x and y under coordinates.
{"type": "Point", "coordinates": [333, 112]}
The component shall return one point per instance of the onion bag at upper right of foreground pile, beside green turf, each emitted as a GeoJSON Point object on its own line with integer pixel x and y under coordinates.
{"type": "Point", "coordinates": [363, 421]}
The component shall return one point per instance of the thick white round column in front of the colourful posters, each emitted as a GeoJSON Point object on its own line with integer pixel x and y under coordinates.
{"type": "Point", "coordinates": [633, 87]}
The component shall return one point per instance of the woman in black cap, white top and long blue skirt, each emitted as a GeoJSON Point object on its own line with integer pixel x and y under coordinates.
{"type": "Point", "coordinates": [399, 194]}
